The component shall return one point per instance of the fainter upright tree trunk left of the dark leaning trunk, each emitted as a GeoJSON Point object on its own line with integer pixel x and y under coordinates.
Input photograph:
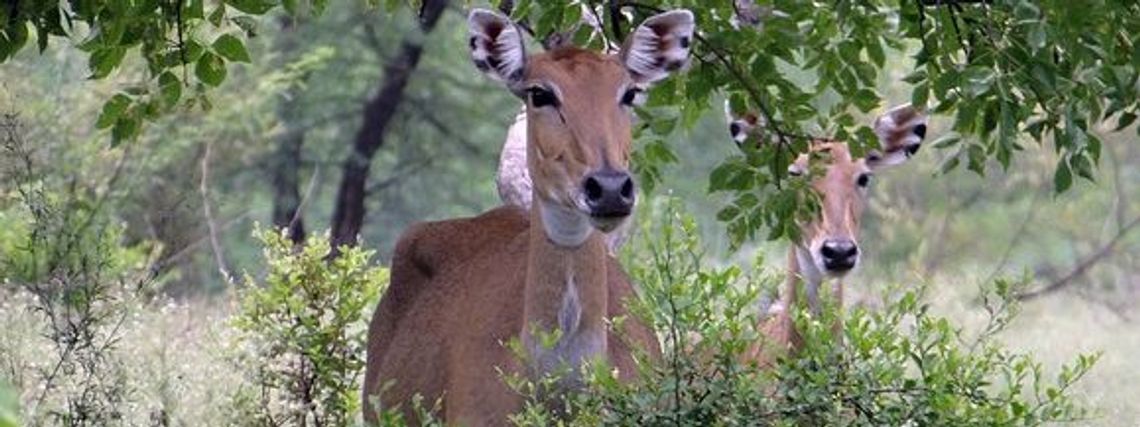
{"type": "Point", "coordinates": [286, 163]}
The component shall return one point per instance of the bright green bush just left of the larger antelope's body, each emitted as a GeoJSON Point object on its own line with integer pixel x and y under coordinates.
{"type": "Point", "coordinates": [305, 332]}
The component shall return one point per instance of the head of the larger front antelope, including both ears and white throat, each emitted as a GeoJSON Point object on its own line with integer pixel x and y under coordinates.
{"type": "Point", "coordinates": [580, 108]}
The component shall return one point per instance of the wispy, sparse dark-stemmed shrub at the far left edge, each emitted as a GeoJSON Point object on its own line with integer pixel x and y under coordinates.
{"type": "Point", "coordinates": [64, 251]}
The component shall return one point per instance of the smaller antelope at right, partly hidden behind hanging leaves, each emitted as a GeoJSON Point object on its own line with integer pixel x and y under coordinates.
{"type": "Point", "coordinates": [828, 248]}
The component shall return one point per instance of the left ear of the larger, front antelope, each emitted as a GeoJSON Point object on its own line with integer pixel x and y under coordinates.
{"type": "Point", "coordinates": [496, 47]}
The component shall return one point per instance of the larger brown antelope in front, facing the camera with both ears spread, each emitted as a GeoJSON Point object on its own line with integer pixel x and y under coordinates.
{"type": "Point", "coordinates": [462, 289]}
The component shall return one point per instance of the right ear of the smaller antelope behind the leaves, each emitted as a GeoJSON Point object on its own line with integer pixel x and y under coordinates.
{"type": "Point", "coordinates": [901, 133]}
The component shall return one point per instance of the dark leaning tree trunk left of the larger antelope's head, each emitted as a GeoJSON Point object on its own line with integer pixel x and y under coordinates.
{"type": "Point", "coordinates": [348, 216]}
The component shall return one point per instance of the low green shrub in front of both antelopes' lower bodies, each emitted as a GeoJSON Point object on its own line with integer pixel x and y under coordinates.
{"type": "Point", "coordinates": [895, 367]}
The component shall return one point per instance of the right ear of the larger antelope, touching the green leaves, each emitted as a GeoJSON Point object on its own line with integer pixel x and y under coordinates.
{"type": "Point", "coordinates": [659, 46]}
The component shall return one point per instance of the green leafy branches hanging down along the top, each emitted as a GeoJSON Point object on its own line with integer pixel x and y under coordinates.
{"type": "Point", "coordinates": [1006, 71]}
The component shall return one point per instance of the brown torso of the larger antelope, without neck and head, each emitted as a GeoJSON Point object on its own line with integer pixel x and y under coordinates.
{"type": "Point", "coordinates": [434, 317]}
